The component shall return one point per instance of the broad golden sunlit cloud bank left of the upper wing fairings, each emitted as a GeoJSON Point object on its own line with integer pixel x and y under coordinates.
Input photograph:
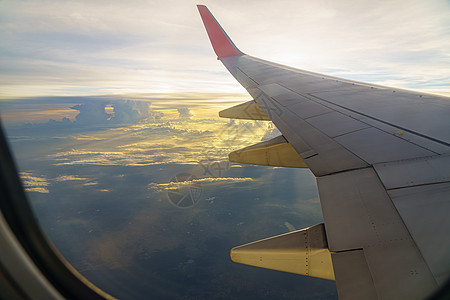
{"type": "Point", "coordinates": [144, 144]}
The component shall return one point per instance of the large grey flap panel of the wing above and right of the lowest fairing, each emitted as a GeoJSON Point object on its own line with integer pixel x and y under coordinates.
{"type": "Point", "coordinates": [359, 214]}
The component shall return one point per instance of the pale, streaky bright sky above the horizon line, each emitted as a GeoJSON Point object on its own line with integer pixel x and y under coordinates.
{"type": "Point", "coordinates": [80, 48]}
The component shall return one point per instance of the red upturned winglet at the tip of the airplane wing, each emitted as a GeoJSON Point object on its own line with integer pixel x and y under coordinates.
{"type": "Point", "coordinates": [222, 44]}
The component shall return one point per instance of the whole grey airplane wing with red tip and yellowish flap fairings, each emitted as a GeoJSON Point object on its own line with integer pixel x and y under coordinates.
{"type": "Point", "coordinates": [382, 163]}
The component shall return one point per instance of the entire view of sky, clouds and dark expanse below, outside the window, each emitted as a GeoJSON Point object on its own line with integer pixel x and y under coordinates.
{"type": "Point", "coordinates": [100, 171]}
